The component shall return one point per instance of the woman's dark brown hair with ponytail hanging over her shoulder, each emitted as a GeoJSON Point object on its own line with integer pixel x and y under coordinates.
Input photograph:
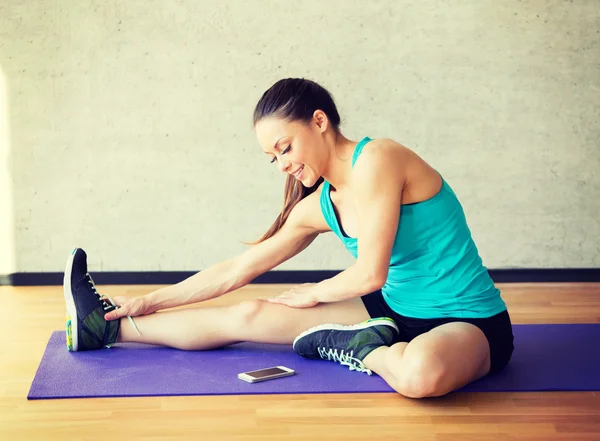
{"type": "Point", "coordinates": [295, 99]}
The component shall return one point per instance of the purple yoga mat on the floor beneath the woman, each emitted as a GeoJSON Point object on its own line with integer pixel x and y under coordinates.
{"type": "Point", "coordinates": [546, 357]}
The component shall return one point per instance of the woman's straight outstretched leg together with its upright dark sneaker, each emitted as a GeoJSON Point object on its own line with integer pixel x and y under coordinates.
{"type": "Point", "coordinates": [199, 328]}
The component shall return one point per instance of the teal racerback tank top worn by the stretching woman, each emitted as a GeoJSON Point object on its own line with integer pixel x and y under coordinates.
{"type": "Point", "coordinates": [435, 268]}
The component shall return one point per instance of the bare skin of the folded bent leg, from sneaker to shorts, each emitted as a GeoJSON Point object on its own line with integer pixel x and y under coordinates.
{"type": "Point", "coordinates": [435, 363]}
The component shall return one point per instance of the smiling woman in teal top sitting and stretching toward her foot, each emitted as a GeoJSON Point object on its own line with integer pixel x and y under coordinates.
{"type": "Point", "coordinates": [430, 319]}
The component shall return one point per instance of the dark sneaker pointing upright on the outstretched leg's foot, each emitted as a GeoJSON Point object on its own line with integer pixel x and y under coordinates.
{"type": "Point", "coordinates": [86, 327]}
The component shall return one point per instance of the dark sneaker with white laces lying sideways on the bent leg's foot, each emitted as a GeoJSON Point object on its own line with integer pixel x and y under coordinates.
{"type": "Point", "coordinates": [348, 345]}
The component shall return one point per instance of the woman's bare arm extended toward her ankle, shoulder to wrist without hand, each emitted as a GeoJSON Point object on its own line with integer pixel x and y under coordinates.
{"type": "Point", "coordinates": [301, 228]}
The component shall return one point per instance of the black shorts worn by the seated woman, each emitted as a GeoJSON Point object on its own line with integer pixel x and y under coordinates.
{"type": "Point", "coordinates": [497, 328]}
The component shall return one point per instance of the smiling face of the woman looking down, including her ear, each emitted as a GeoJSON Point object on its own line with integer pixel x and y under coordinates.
{"type": "Point", "coordinates": [296, 147]}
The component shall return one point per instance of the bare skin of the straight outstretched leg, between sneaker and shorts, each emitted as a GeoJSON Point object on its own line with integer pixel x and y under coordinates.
{"type": "Point", "coordinates": [253, 320]}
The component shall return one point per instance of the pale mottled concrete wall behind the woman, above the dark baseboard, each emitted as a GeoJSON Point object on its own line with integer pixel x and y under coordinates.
{"type": "Point", "coordinates": [131, 135]}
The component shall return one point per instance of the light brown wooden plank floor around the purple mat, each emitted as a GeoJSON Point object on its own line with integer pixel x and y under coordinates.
{"type": "Point", "coordinates": [30, 315]}
